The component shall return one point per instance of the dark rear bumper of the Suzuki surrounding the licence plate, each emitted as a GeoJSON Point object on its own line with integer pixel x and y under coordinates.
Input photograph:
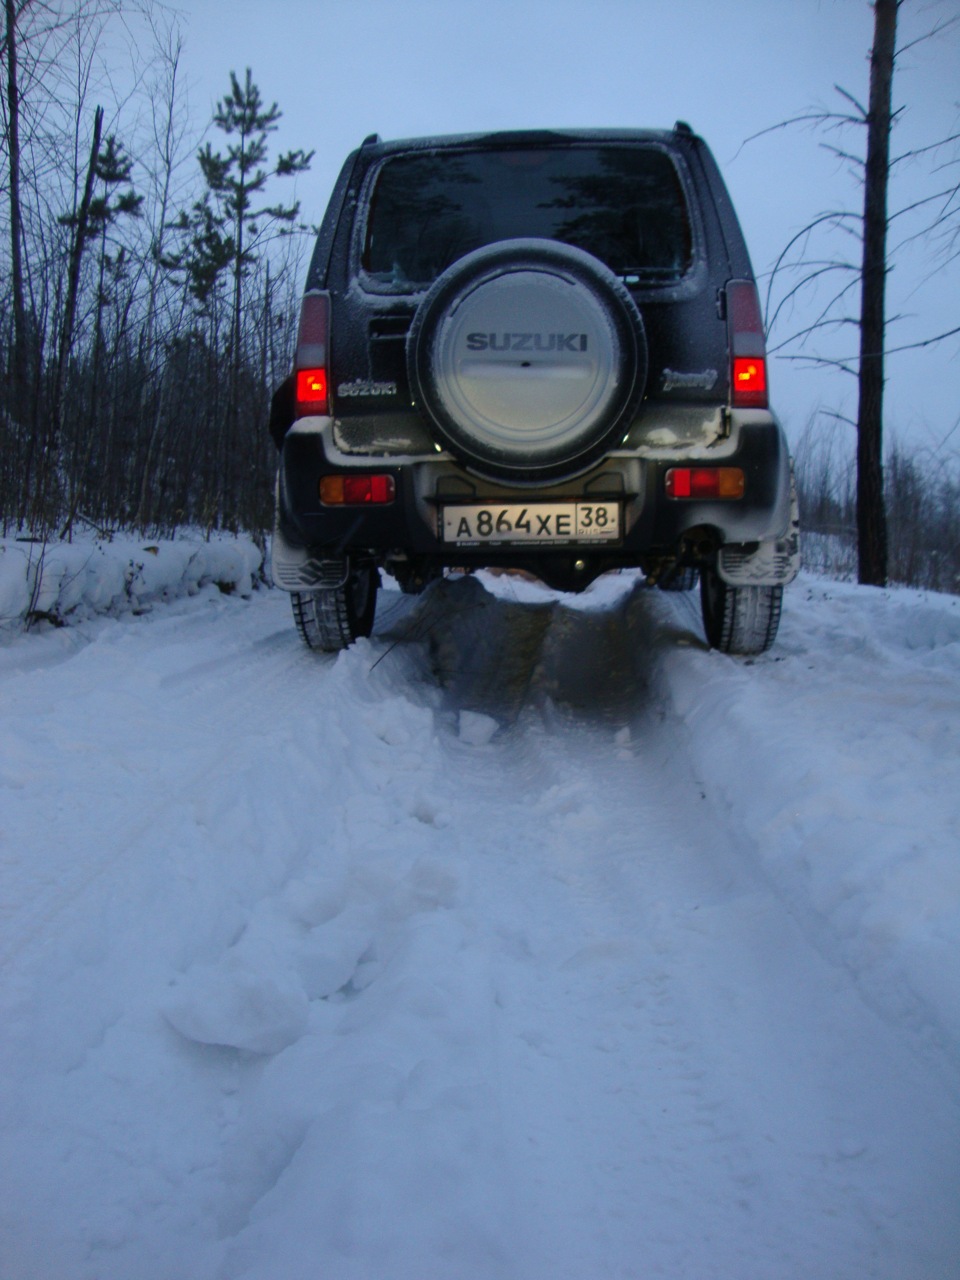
{"type": "Point", "coordinates": [653, 525]}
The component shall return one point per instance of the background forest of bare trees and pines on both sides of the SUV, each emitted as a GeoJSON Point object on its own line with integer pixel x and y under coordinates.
{"type": "Point", "coordinates": [150, 286]}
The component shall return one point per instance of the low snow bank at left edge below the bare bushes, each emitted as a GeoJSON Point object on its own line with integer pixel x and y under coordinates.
{"type": "Point", "coordinates": [70, 582]}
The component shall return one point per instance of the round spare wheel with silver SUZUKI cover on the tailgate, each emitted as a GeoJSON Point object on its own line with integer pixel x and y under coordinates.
{"type": "Point", "coordinates": [529, 358]}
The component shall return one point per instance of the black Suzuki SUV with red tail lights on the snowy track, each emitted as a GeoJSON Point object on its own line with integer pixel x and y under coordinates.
{"type": "Point", "coordinates": [541, 351]}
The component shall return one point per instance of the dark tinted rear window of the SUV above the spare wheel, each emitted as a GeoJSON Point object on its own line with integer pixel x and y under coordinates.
{"type": "Point", "coordinates": [623, 204]}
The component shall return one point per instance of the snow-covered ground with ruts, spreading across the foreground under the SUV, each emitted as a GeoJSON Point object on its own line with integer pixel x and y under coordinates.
{"type": "Point", "coordinates": [527, 940]}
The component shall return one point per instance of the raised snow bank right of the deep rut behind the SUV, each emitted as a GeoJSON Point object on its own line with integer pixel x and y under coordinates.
{"type": "Point", "coordinates": [836, 757]}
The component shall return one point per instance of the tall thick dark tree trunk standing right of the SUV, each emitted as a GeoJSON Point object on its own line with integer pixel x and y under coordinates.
{"type": "Point", "coordinates": [871, 511]}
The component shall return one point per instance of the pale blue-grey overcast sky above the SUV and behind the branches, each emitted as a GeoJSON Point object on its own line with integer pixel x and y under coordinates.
{"type": "Point", "coordinates": [341, 70]}
